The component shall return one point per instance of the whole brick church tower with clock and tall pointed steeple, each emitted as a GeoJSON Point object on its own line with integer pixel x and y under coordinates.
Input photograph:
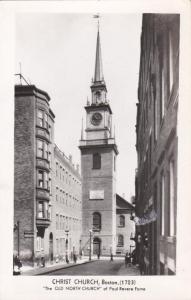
{"type": "Point", "coordinates": [98, 166]}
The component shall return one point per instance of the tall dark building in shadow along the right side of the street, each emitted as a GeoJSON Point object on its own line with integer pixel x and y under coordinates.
{"type": "Point", "coordinates": [156, 128]}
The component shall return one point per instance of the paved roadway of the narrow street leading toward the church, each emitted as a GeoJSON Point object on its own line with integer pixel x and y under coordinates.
{"type": "Point", "coordinates": [101, 267]}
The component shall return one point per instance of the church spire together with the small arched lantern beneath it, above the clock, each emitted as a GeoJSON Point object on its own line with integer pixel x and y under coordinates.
{"type": "Point", "coordinates": [98, 86]}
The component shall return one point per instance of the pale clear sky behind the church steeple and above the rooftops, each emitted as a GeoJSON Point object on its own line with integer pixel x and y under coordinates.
{"type": "Point", "coordinates": [57, 54]}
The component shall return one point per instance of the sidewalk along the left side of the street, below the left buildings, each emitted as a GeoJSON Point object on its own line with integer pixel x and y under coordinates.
{"type": "Point", "coordinates": [52, 267]}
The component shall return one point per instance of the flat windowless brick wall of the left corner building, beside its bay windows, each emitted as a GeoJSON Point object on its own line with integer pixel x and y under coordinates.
{"type": "Point", "coordinates": [24, 176]}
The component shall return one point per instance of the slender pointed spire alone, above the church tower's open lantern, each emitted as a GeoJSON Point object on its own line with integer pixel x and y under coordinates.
{"type": "Point", "coordinates": [98, 75]}
